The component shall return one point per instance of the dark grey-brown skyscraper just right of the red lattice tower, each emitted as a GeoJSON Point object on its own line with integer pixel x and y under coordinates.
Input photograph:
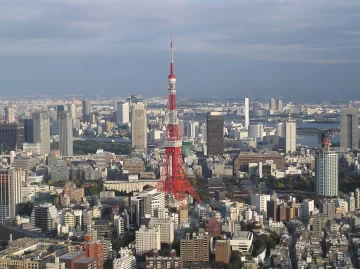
{"type": "Point", "coordinates": [215, 133]}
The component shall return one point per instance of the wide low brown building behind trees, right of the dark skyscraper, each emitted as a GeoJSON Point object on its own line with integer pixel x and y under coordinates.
{"type": "Point", "coordinates": [244, 159]}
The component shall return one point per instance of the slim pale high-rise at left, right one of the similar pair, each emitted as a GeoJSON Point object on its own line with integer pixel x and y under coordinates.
{"type": "Point", "coordinates": [65, 132]}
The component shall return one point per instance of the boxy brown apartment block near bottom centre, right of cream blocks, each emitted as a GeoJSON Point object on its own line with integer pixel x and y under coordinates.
{"type": "Point", "coordinates": [195, 249]}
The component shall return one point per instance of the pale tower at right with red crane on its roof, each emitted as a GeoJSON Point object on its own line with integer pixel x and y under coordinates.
{"type": "Point", "coordinates": [326, 173]}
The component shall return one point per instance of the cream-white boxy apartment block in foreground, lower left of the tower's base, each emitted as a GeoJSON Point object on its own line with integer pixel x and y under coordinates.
{"type": "Point", "coordinates": [146, 240]}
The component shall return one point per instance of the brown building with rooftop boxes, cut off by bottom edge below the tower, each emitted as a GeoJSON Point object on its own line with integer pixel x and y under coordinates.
{"type": "Point", "coordinates": [159, 262]}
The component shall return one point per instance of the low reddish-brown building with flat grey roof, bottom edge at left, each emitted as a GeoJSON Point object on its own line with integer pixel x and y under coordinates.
{"type": "Point", "coordinates": [78, 260]}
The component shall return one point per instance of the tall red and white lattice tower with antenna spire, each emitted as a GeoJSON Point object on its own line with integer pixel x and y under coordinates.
{"type": "Point", "coordinates": [173, 179]}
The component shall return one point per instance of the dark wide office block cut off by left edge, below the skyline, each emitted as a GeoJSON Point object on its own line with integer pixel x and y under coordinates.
{"type": "Point", "coordinates": [11, 136]}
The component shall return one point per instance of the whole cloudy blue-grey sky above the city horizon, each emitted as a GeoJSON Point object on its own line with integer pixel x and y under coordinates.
{"type": "Point", "coordinates": [301, 50]}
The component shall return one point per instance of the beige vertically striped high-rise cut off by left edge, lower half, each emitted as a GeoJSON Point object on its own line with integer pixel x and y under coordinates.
{"type": "Point", "coordinates": [10, 192]}
